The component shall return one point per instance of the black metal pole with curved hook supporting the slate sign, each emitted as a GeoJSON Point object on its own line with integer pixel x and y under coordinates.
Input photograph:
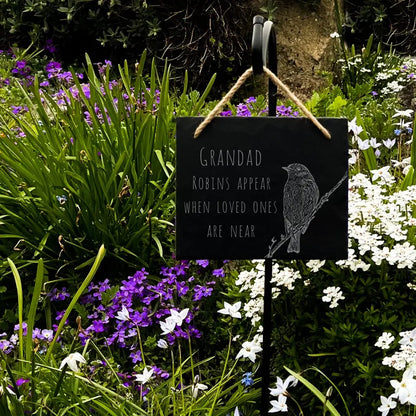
{"type": "Point", "coordinates": [264, 53]}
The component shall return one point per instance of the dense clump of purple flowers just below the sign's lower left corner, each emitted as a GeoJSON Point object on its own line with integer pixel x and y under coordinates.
{"type": "Point", "coordinates": [147, 303]}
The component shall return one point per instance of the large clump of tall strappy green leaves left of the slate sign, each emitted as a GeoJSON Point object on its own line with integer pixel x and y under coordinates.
{"type": "Point", "coordinates": [71, 182]}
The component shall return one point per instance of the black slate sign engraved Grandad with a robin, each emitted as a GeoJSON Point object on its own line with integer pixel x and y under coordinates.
{"type": "Point", "coordinates": [252, 188]}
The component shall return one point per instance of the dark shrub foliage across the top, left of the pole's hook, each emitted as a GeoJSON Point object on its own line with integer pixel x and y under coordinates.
{"type": "Point", "coordinates": [208, 37]}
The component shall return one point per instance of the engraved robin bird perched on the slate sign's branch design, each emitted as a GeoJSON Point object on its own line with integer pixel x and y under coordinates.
{"type": "Point", "coordinates": [300, 197]}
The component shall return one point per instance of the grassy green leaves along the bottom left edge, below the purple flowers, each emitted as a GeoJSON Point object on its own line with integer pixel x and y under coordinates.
{"type": "Point", "coordinates": [36, 382]}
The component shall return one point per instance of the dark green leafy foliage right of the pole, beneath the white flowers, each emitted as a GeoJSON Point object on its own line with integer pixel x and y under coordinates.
{"type": "Point", "coordinates": [340, 342]}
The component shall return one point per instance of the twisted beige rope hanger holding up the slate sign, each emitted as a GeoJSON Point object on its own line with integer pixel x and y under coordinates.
{"type": "Point", "coordinates": [227, 97]}
